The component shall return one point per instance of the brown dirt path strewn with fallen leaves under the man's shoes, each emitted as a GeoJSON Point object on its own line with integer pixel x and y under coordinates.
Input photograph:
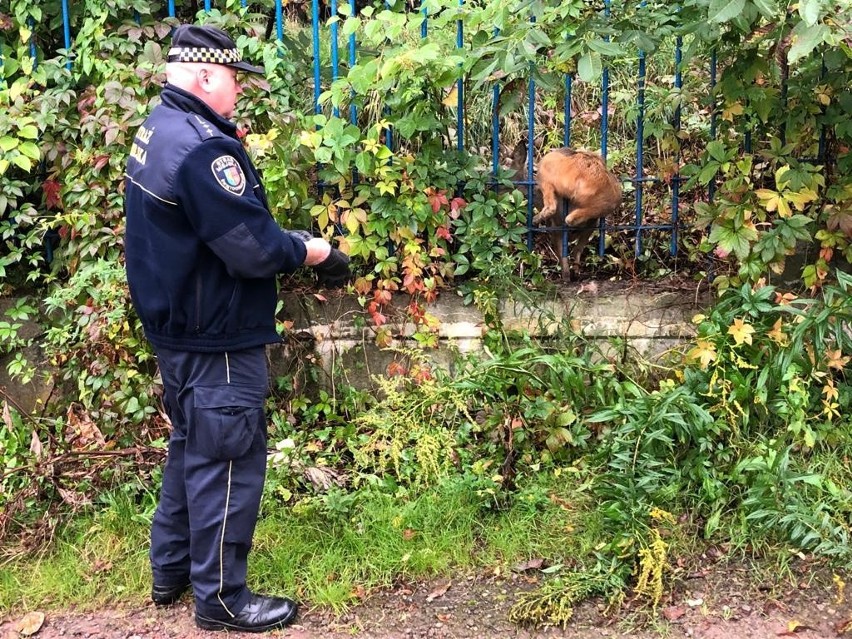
{"type": "Point", "coordinates": [721, 604]}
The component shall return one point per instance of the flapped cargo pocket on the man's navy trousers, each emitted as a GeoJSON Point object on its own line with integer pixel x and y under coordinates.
{"type": "Point", "coordinates": [228, 419]}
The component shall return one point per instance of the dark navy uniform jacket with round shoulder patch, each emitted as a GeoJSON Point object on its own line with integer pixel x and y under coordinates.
{"type": "Point", "coordinates": [201, 246]}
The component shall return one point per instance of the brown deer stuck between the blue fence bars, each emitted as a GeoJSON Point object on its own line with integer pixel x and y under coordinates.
{"type": "Point", "coordinates": [581, 178]}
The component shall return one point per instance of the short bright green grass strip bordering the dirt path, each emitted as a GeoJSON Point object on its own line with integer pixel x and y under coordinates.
{"type": "Point", "coordinates": [326, 558]}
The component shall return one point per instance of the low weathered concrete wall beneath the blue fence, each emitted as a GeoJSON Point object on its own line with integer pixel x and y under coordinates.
{"type": "Point", "coordinates": [336, 332]}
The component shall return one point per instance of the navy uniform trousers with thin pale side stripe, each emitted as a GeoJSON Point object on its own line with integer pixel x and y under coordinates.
{"type": "Point", "coordinates": [213, 477]}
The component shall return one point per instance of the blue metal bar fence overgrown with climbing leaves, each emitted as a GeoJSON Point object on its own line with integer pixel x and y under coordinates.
{"type": "Point", "coordinates": [638, 226]}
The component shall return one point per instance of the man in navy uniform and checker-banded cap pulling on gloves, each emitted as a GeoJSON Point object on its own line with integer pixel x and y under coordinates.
{"type": "Point", "coordinates": [202, 253]}
